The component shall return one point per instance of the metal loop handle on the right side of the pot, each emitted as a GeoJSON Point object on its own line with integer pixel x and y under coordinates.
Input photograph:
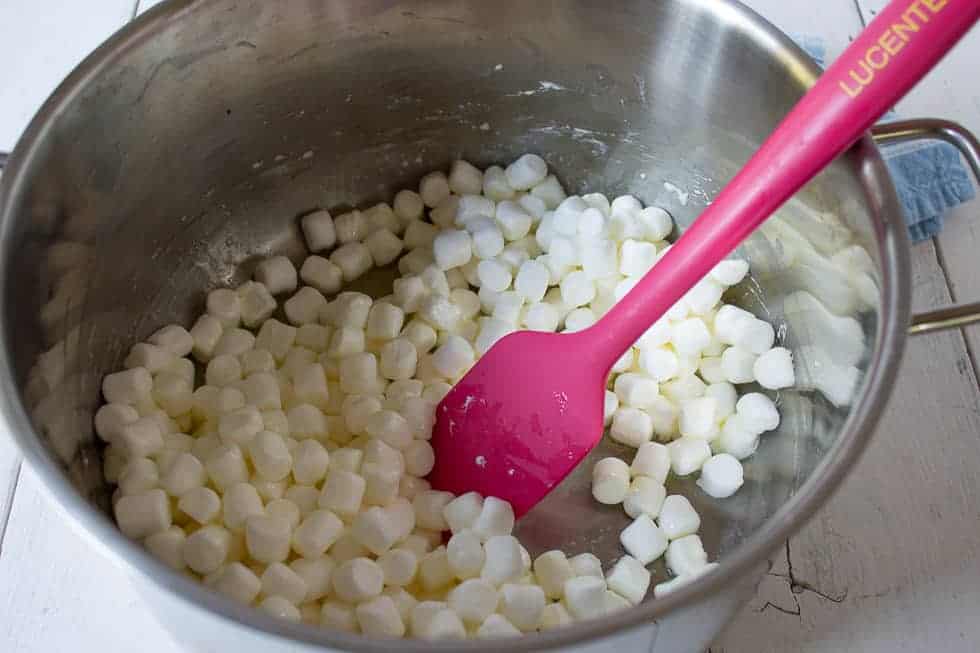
{"type": "Point", "coordinates": [955, 134]}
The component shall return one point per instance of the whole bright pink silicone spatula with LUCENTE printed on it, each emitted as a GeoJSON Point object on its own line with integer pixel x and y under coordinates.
{"type": "Point", "coordinates": [532, 406]}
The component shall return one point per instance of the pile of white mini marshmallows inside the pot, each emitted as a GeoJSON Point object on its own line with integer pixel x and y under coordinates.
{"type": "Point", "coordinates": [292, 479]}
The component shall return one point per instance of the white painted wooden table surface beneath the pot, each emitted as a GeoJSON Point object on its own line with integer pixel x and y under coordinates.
{"type": "Point", "coordinates": [892, 563]}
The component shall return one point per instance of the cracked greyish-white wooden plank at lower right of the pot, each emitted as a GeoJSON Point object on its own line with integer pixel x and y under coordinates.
{"type": "Point", "coordinates": [891, 563]}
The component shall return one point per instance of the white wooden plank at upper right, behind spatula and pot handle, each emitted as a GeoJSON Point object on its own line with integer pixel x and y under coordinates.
{"type": "Point", "coordinates": [951, 91]}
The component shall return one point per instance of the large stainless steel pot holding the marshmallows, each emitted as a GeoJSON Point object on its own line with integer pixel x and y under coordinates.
{"type": "Point", "coordinates": [186, 146]}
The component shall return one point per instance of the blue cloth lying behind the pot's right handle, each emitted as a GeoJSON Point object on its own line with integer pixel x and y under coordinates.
{"type": "Point", "coordinates": [929, 176]}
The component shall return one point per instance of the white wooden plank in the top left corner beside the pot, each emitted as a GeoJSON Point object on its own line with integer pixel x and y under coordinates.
{"type": "Point", "coordinates": [39, 47]}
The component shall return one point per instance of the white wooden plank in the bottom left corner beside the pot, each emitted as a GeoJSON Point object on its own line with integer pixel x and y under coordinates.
{"type": "Point", "coordinates": [59, 594]}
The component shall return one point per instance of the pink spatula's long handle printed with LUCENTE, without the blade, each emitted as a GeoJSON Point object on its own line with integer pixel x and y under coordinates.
{"type": "Point", "coordinates": [888, 58]}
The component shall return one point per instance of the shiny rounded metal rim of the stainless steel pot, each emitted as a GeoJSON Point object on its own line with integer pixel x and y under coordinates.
{"type": "Point", "coordinates": [855, 434]}
